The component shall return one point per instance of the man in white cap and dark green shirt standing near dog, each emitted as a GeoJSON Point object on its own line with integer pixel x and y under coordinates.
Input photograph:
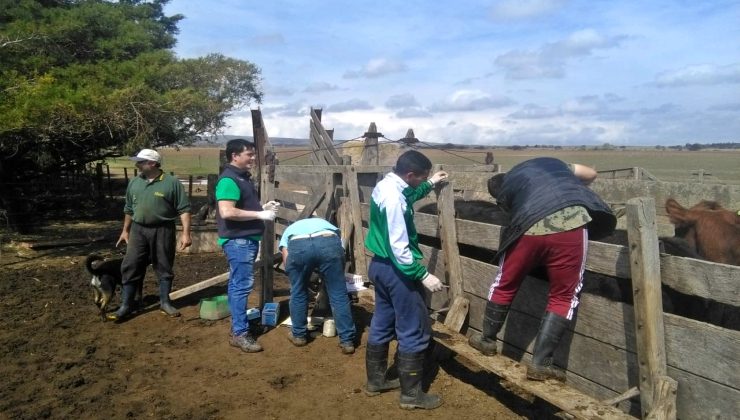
{"type": "Point", "coordinates": [154, 200]}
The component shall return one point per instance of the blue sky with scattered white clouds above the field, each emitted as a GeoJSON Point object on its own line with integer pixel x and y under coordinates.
{"type": "Point", "coordinates": [504, 72]}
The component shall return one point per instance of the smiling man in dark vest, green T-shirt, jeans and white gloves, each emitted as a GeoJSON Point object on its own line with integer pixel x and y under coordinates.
{"type": "Point", "coordinates": [241, 220]}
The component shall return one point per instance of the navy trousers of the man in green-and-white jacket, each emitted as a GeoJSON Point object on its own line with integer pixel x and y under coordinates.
{"type": "Point", "coordinates": [400, 310]}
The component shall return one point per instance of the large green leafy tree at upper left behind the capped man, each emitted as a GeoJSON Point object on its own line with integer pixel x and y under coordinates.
{"type": "Point", "coordinates": [83, 80]}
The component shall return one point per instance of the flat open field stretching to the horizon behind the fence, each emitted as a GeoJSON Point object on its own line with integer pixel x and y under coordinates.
{"type": "Point", "coordinates": [668, 165]}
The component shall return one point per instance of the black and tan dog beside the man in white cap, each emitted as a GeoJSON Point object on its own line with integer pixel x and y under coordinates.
{"type": "Point", "coordinates": [106, 276]}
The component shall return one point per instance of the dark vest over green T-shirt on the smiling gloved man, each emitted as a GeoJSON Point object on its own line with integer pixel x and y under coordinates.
{"type": "Point", "coordinates": [248, 200]}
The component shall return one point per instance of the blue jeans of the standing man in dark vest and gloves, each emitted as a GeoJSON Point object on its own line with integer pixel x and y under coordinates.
{"type": "Point", "coordinates": [241, 254]}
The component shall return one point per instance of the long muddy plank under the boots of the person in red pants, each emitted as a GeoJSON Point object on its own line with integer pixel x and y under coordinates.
{"type": "Point", "coordinates": [568, 399]}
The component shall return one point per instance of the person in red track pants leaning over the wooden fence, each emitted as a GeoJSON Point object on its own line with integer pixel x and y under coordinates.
{"type": "Point", "coordinates": [553, 214]}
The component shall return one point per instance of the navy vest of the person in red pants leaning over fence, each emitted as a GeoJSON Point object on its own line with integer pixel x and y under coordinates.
{"type": "Point", "coordinates": [537, 188]}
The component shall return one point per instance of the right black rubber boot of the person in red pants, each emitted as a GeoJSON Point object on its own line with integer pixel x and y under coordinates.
{"type": "Point", "coordinates": [552, 328]}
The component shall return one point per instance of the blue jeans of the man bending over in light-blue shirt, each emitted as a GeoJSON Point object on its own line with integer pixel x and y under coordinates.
{"type": "Point", "coordinates": [326, 254]}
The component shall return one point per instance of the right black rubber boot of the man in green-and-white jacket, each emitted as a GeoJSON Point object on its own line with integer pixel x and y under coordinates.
{"type": "Point", "coordinates": [410, 372]}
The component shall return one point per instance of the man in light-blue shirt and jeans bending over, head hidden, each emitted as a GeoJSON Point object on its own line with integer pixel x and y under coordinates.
{"type": "Point", "coordinates": [307, 245]}
